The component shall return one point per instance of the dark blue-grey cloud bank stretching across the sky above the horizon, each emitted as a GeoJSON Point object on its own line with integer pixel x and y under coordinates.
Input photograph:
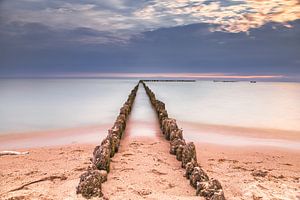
{"type": "Point", "coordinates": [37, 49]}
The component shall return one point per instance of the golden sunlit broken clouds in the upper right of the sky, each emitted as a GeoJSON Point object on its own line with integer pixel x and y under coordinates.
{"type": "Point", "coordinates": [235, 17]}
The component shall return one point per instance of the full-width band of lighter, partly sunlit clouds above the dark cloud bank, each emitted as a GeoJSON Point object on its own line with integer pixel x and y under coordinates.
{"type": "Point", "coordinates": [126, 18]}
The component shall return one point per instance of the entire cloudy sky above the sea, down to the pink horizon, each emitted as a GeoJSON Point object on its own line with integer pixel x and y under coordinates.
{"type": "Point", "coordinates": [175, 38]}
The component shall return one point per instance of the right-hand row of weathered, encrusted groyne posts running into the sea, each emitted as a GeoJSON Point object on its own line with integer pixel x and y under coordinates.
{"type": "Point", "coordinates": [185, 152]}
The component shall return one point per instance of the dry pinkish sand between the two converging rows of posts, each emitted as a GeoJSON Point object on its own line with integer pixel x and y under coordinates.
{"type": "Point", "coordinates": [144, 169]}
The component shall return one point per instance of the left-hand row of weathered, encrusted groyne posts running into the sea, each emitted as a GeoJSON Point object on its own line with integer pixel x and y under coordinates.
{"type": "Point", "coordinates": [91, 180]}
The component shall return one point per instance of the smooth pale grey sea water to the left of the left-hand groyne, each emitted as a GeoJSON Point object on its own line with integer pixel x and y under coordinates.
{"type": "Point", "coordinates": [46, 104]}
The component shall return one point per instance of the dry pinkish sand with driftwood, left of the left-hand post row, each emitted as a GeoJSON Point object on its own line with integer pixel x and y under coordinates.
{"type": "Point", "coordinates": [69, 161]}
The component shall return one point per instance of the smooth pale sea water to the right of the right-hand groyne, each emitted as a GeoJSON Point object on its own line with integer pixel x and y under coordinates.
{"type": "Point", "coordinates": [255, 105]}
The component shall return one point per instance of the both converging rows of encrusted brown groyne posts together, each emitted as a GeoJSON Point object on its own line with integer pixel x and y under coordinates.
{"type": "Point", "coordinates": [185, 152]}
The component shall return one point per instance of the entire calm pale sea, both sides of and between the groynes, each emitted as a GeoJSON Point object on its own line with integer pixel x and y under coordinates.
{"type": "Point", "coordinates": [43, 104]}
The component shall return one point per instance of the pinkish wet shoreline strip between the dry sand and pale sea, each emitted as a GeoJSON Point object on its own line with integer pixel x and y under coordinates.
{"type": "Point", "coordinates": [202, 133]}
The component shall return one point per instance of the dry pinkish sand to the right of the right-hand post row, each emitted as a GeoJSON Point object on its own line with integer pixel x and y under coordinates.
{"type": "Point", "coordinates": [233, 167]}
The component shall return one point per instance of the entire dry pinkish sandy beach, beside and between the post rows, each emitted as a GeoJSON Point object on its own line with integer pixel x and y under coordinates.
{"type": "Point", "coordinates": [144, 169]}
